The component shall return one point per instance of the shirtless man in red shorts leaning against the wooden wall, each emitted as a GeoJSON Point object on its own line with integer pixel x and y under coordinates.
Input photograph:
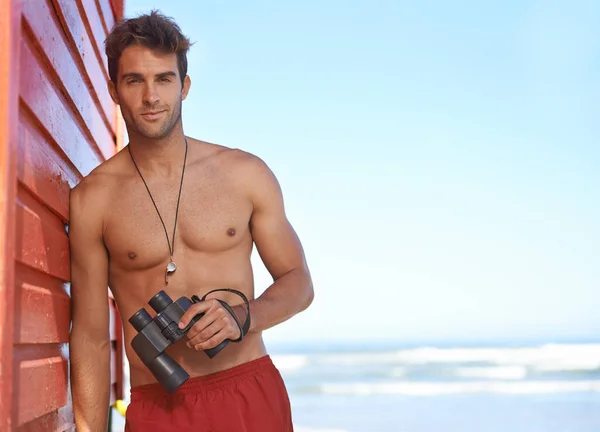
{"type": "Point", "coordinates": [219, 202]}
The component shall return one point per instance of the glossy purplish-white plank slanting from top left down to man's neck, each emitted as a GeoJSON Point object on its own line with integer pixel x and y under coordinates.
{"type": "Point", "coordinates": [44, 29]}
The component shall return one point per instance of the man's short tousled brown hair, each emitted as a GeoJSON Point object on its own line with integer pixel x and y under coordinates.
{"type": "Point", "coordinates": [154, 31]}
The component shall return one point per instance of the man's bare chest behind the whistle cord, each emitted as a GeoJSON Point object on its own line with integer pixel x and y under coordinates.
{"type": "Point", "coordinates": [143, 230]}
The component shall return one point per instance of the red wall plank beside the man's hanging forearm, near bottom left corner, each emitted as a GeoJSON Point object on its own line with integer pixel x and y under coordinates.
{"type": "Point", "coordinates": [40, 370]}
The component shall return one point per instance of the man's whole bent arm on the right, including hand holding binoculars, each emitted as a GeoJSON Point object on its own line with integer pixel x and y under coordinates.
{"type": "Point", "coordinates": [283, 256]}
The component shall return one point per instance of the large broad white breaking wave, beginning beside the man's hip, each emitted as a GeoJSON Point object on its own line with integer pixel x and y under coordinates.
{"type": "Point", "coordinates": [550, 361]}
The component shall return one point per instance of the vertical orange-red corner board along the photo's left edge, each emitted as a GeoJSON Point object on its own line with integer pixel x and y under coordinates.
{"type": "Point", "coordinates": [10, 28]}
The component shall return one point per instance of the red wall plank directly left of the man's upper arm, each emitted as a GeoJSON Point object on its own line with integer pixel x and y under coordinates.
{"type": "Point", "coordinates": [41, 242]}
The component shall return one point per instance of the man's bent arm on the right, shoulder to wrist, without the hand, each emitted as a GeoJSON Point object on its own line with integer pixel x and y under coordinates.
{"type": "Point", "coordinates": [280, 250]}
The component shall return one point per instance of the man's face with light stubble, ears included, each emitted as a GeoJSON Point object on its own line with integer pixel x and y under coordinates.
{"type": "Point", "coordinates": [149, 91]}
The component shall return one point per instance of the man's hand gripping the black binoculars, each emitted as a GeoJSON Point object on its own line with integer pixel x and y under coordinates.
{"type": "Point", "coordinates": [214, 327]}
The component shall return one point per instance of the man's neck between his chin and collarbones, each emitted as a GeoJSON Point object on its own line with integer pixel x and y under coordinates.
{"type": "Point", "coordinates": [160, 157]}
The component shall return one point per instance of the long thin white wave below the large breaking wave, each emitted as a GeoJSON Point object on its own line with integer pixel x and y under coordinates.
{"type": "Point", "coordinates": [445, 388]}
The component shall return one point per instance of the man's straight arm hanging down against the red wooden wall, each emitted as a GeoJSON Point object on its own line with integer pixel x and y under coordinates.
{"type": "Point", "coordinates": [90, 337]}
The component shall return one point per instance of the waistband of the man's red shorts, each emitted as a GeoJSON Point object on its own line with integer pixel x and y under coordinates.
{"type": "Point", "coordinates": [204, 383]}
